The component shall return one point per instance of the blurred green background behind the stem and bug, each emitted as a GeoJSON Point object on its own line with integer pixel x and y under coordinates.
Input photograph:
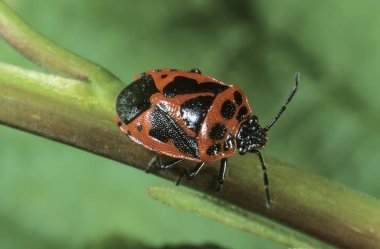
{"type": "Point", "coordinates": [55, 196]}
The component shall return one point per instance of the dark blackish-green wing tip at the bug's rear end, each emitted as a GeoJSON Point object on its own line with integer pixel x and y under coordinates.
{"type": "Point", "coordinates": [134, 99]}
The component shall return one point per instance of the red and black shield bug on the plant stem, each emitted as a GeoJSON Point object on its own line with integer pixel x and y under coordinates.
{"type": "Point", "coordinates": [189, 116]}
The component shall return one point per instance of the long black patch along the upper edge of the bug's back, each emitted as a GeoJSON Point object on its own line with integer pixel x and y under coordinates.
{"type": "Point", "coordinates": [185, 85]}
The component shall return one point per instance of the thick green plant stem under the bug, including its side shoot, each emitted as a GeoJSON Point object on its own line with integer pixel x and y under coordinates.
{"type": "Point", "coordinates": [79, 114]}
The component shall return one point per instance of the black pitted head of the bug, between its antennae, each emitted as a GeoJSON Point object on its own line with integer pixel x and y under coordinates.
{"type": "Point", "coordinates": [251, 136]}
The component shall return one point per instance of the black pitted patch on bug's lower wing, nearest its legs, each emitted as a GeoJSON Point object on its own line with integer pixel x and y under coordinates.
{"type": "Point", "coordinates": [164, 128]}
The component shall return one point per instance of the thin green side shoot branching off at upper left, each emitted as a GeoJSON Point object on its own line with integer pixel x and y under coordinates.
{"type": "Point", "coordinates": [45, 52]}
